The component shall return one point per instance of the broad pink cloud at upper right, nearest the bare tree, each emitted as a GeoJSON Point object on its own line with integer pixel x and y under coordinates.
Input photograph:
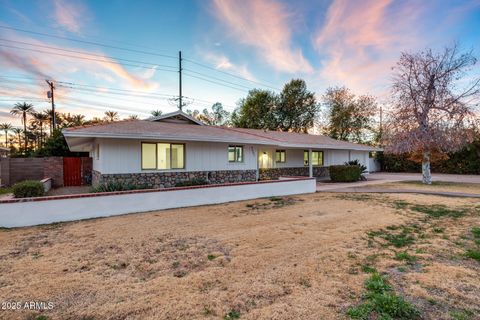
{"type": "Point", "coordinates": [362, 40]}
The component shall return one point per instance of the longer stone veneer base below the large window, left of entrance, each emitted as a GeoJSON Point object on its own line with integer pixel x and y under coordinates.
{"type": "Point", "coordinates": [169, 179]}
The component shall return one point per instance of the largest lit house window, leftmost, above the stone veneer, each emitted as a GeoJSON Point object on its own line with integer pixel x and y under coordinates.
{"type": "Point", "coordinates": [163, 156]}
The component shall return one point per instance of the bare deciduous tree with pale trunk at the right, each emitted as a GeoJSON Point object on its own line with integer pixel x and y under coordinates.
{"type": "Point", "coordinates": [433, 101]}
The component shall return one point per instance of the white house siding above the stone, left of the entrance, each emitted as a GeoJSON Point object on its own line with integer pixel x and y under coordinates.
{"type": "Point", "coordinates": [124, 156]}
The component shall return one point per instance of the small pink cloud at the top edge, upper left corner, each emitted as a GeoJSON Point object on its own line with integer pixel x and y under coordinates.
{"type": "Point", "coordinates": [69, 14]}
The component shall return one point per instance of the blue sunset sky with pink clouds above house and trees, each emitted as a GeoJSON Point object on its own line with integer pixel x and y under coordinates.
{"type": "Point", "coordinates": [123, 55]}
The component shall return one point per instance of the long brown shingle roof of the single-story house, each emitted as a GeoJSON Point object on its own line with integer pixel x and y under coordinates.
{"type": "Point", "coordinates": [143, 129]}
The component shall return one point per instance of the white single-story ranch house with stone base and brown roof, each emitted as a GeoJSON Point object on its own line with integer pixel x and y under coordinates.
{"type": "Point", "coordinates": [161, 151]}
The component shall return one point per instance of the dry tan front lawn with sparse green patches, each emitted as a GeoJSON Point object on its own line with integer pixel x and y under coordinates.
{"type": "Point", "coordinates": [301, 257]}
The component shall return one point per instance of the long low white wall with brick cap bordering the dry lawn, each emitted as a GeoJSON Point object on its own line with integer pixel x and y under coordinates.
{"type": "Point", "coordinates": [34, 211]}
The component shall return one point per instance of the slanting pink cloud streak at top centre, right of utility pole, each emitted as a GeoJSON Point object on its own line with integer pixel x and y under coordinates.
{"type": "Point", "coordinates": [263, 25]}
